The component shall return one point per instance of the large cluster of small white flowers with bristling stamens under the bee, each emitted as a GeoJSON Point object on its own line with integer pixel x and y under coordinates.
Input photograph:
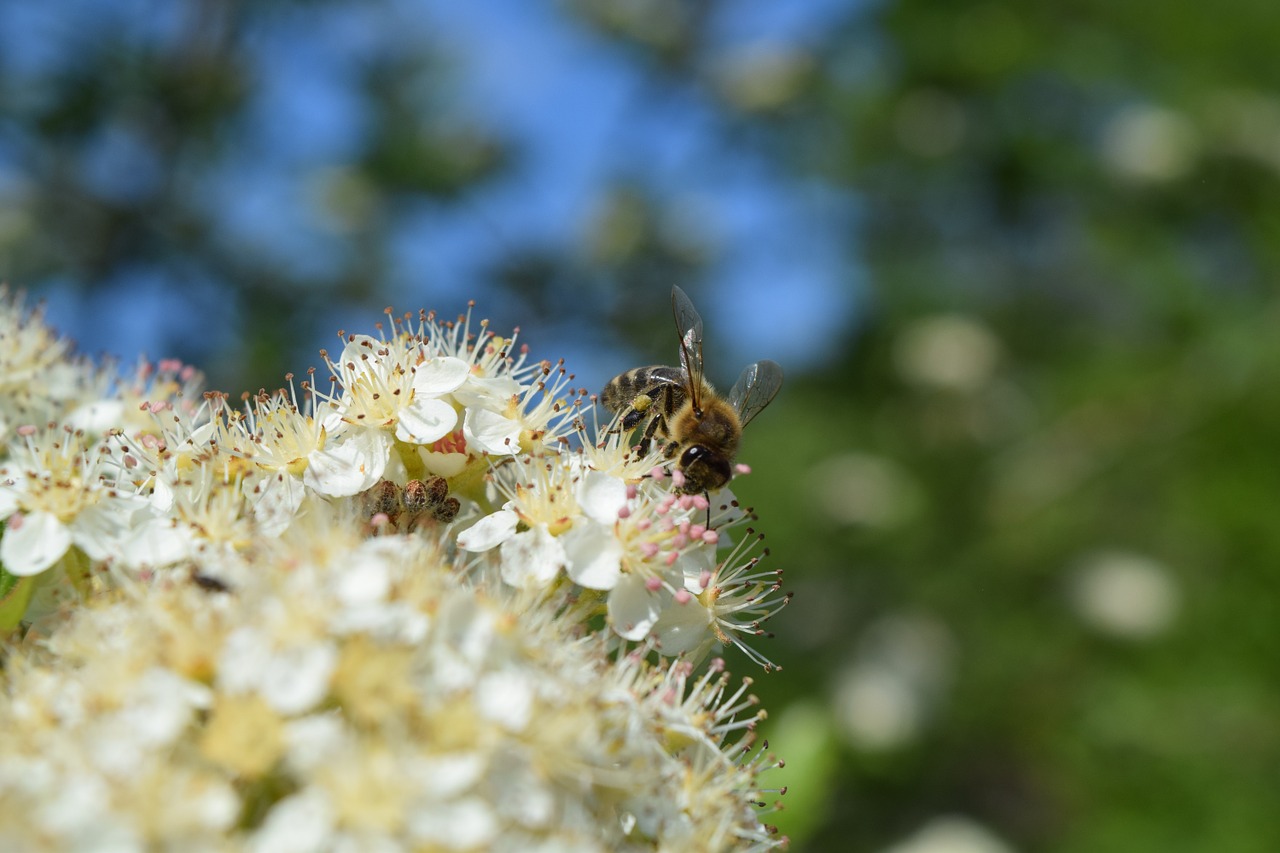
{"type": "Point", "coordinates": [418, 604]}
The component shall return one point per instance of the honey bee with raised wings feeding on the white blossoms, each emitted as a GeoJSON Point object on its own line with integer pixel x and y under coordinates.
{"type": "Point", "coordinates": [680, 405]}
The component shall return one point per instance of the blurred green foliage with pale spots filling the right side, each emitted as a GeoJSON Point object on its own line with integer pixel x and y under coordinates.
{"type": "Point", "coordinates": [1034, 503]}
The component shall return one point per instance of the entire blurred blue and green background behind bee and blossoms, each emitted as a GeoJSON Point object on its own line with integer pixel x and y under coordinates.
{"type": "Point", "coordinates": [1018, 258]}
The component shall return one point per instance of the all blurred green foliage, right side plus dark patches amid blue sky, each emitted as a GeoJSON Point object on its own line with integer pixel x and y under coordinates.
{"type": "Point", "coordinates": [1030, 508]}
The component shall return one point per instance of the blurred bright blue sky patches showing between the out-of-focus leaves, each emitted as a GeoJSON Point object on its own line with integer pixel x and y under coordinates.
{"type": "Point", "coordinates": [580, 111]}
